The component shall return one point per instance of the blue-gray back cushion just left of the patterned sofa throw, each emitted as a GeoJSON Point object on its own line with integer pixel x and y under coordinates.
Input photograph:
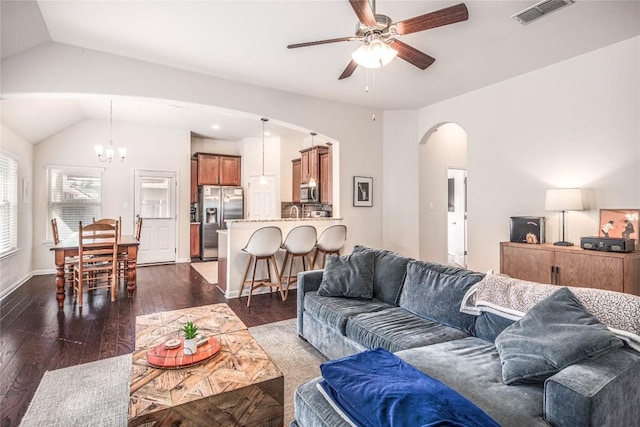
{"type": "Point", "coordinates": [435, 292]}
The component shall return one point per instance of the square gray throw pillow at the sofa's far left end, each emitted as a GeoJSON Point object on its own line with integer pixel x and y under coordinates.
{"type": "Point", "coordinates": [348, 276]}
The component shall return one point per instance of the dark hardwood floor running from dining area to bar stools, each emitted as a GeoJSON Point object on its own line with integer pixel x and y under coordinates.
{"type": "Point", "coordinates": [36, 337]}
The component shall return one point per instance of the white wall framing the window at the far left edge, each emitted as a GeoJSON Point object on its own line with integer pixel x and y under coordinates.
{"type": "Point", "coordinates": [16, 268]}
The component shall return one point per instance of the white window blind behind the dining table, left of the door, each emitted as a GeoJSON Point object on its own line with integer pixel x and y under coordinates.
{"type": "Point", "coordinates": [74, 195]}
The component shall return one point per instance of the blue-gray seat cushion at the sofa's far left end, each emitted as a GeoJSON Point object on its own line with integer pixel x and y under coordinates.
{"type": "Point", "coordinates": [336, 311]}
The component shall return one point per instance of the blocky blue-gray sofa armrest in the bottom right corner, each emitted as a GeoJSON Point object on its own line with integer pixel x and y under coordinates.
{"type": "Point", "coordinates": [597, 392]}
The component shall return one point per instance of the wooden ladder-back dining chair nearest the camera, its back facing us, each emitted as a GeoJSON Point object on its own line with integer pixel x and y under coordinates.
{"type": "Point", "coordinates": [97, 260]}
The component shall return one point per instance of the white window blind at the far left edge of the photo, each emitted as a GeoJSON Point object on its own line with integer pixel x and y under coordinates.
{"type": "Point", "coordinates": [8, 203]}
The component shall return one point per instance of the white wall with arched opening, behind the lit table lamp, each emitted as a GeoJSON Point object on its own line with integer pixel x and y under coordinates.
{"type": "Point", "coordinates": [574, 123]}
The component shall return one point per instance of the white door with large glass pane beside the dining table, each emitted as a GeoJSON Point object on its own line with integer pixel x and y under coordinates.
{"type": "Point", "coordinates": [155, 202]}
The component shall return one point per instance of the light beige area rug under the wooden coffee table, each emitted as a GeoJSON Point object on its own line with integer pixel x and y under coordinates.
{"type": "Point", "coordinates": [97, 393]}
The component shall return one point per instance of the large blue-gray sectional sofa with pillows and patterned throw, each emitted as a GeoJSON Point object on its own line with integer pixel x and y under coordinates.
{"type": "Point", "coordinates": [413, 309]}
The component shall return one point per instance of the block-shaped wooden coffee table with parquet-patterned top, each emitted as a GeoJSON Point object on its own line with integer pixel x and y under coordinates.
{"type": "Point", "coordinates": [240, 385]}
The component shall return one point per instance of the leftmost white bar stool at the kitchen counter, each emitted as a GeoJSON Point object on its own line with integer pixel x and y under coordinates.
{"type": "Point", "coordinates": [263, 245]}
